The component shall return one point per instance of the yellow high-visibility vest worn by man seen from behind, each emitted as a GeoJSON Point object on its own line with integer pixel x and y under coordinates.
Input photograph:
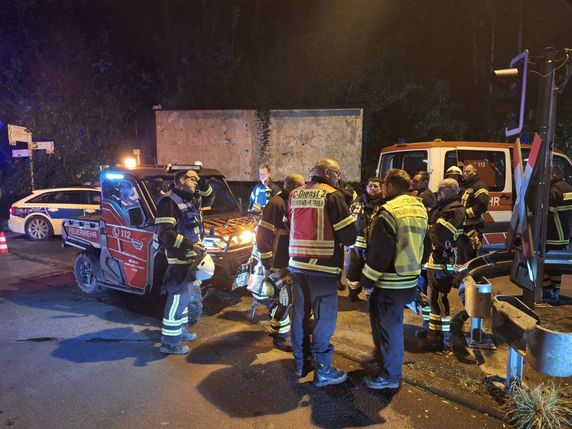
{"type": "Point", "coordinates": [406, 216]}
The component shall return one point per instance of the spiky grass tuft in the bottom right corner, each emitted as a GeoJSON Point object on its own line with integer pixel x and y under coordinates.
{"type": "Point", "coordinates": [540, 407]}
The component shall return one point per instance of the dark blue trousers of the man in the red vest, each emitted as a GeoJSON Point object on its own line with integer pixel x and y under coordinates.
{"type": "Point", "coordinates": [315, 294]}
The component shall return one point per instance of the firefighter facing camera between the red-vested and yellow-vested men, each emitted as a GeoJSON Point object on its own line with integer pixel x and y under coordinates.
{"type": "Point", "coordinates": [362, 209]}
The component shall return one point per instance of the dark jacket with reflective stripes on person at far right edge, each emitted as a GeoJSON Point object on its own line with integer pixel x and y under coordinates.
{"type": "Point", "coordinates": [559, 213]}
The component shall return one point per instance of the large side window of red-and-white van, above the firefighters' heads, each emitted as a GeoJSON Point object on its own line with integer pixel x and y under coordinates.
{"type": "Point", "coordinates": [491, 165]}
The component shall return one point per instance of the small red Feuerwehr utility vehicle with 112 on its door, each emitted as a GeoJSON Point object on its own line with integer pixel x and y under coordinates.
{"type": "Point", "coordinates": [118, 248]}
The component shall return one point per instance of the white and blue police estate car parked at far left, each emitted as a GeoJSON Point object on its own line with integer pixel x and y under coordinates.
{"type": "Point", "coordinates": [40, 214]}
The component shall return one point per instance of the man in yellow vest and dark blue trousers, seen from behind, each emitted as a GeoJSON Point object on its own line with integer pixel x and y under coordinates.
{"type": "Point", "coordinates": [393, 264]}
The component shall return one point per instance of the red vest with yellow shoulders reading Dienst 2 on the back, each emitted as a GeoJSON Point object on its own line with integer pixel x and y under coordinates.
{"type": "Point", "coordinates": [311, 231]}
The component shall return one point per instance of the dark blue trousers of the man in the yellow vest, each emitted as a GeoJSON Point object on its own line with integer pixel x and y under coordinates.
{"type": "Point", "coordinates": [386, 316]}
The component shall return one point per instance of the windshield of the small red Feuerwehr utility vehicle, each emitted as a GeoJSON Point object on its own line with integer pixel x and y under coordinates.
{"type": "Point", "coordinates": [224, 201]}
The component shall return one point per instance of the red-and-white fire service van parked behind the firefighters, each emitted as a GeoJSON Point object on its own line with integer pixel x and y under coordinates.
{"type": "Point", "coordinates": [494, 165]}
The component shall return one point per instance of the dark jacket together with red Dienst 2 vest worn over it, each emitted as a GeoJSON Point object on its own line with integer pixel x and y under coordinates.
{"type": "Point", "coordinates": [320, 222]}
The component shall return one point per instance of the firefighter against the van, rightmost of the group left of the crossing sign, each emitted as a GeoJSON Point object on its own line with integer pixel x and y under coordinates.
{"type": "Point", "coordinates": [475, 199]}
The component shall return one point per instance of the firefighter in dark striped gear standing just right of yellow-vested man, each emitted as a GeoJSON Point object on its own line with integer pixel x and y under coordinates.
{"type": "Point", "coordinates": [446, 225]}
